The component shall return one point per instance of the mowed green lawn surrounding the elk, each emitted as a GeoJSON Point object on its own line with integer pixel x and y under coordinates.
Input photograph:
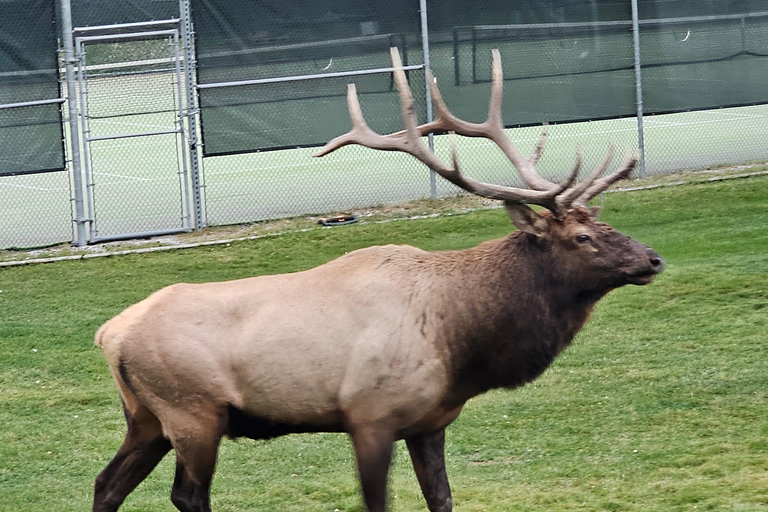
{"type": "Point", "coordinates": [661, 404]}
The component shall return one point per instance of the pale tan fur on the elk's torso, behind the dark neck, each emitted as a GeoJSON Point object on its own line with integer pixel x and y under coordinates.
{"type": "Point", "coordinates": [349, 356]}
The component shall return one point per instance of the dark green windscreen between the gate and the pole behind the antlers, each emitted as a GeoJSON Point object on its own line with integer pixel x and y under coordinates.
{"type": "Point", "coordinates": [257, 40]}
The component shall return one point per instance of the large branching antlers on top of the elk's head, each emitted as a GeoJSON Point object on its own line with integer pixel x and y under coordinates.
{"type": "Point", "coordinates": [555, 197]}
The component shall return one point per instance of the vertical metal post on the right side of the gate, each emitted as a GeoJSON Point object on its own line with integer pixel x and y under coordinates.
{"type": "Point", "coordinates": [191, 113]}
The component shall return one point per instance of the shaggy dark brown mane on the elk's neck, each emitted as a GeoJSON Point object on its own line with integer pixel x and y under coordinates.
{"type": "Point", "coordinates": [514, 310]}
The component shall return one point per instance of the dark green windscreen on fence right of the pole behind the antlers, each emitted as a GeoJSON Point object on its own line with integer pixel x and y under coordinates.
{"type": "Point", "coordinates": [573, 60]}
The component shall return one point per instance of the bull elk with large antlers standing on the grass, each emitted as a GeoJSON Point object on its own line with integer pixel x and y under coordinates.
{"type": "Point", "coordinates": [411, 336]}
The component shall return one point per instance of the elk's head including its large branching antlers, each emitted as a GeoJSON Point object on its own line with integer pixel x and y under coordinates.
{"type": "Point", "coordinates": [597, 256]}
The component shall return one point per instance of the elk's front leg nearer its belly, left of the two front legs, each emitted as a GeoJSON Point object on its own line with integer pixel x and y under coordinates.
{"type": "Point", "coordinates": [373, 450]}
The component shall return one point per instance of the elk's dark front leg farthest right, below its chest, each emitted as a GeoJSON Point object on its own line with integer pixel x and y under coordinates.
{"type": "Point", "coordinates": [428, 457]}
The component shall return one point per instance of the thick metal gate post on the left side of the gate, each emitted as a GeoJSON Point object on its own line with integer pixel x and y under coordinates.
{"type": "Point", "coordinates": [74, 136]}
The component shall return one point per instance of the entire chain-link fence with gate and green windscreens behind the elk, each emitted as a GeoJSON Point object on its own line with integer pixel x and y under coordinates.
{"type": "Point", "coordinates": [269, 82]}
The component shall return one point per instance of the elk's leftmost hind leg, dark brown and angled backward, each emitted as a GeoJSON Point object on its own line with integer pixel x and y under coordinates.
{"type": "Point", "coordinates": [143, 448]}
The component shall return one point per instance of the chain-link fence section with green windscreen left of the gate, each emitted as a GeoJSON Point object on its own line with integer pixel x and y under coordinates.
{"type": "Point", "coordinates": [34, 201]}
